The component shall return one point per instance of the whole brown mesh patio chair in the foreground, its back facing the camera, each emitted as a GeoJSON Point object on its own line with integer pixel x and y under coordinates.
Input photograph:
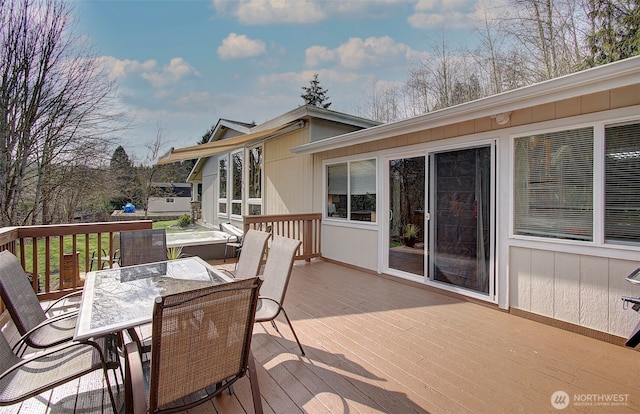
{"type": "Point", "coordinates": [201, 345]}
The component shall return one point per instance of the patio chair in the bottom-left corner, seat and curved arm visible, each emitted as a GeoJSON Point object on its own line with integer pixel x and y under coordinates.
{"type": "Point", "coordinates": [24, 378]}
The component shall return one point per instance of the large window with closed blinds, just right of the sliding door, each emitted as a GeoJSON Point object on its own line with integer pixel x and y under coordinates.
{"type": "Point", "coordinates": [553, 185]}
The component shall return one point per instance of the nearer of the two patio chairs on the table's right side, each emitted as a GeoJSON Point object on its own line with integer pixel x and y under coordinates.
{"type": "Point", "coordinates": [276, 275]}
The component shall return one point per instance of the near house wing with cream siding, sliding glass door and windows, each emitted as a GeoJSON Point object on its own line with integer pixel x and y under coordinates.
{"type": "Point", "coordinates": [529, 199]}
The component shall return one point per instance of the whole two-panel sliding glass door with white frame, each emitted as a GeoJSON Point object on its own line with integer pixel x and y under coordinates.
{"type": "Point", "coordinates": [440, 217]}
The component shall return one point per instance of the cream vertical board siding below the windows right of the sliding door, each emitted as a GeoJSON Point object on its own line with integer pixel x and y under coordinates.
{"type": "Point", "coordinates": [579, 289]}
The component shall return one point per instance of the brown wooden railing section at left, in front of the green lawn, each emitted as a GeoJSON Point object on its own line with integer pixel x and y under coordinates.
{"type": "Point", "coordinates": [58, 254]}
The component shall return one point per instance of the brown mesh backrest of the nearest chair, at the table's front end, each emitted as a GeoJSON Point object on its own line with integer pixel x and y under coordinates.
{"type": "Point", "coordinates": [201, 338]}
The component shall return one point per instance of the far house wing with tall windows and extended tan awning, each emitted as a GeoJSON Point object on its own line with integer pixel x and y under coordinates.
{"type": "Point", "coordinates": [247, 170]}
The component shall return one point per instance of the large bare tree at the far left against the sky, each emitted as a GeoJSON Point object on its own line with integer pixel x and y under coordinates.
{"type": "Point", "coordinates": [55, 106]}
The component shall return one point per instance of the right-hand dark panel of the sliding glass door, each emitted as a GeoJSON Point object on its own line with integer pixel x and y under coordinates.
{"type": "Point", "coordinates": [461, 218]}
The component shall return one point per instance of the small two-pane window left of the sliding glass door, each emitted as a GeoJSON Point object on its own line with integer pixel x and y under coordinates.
{"type": "Point", "coordinates": [351, 191]}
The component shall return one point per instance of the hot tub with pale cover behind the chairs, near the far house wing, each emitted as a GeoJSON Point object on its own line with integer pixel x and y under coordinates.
{"type": "Point", "coordinates": [208, 245]}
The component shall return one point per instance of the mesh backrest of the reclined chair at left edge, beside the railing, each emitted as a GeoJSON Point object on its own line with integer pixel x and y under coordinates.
{"type": "Point", "coordinates": [18, 294]}
